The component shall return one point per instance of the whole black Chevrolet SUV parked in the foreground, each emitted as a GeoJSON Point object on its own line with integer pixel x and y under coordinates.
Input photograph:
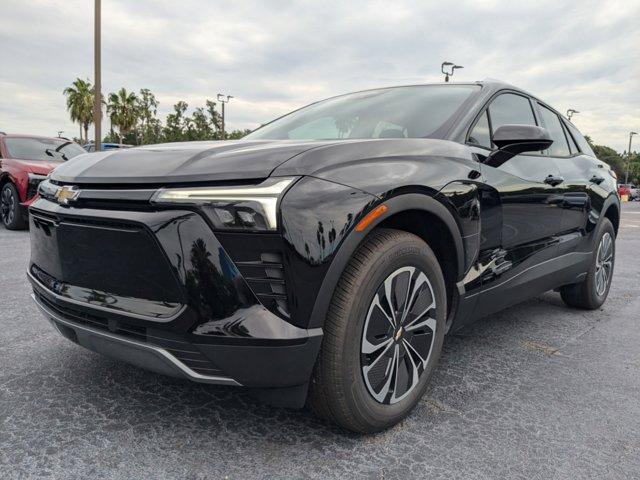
{"type": "Point", "coordinates": [323, 258]}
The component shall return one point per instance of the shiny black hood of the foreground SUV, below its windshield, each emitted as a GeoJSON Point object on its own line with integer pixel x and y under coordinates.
{"type": "Point", "coordinates": [182, 162]}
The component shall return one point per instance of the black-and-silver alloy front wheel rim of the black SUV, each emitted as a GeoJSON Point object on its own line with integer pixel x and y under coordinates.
{"type": "Point", "coordinates": [398, 335]}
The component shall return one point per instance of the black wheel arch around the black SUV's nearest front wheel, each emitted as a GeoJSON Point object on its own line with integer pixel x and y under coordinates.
{"type": "Point", "coordinates": [402, 213]}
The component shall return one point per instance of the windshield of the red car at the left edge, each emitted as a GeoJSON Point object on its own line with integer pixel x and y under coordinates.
{"type": "Point", "coordinates": [51, 149]}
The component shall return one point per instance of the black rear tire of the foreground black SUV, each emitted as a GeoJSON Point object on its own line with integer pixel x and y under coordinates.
{"type": "Point", "coordinates": [588, 294]}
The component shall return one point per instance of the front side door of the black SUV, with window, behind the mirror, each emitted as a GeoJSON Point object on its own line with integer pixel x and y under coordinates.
{"type": "Point", "coordinates": [524, 199]}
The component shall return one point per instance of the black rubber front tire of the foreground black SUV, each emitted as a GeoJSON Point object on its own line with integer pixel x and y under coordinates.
{"type": "Point", "coordinates": [338, 391]}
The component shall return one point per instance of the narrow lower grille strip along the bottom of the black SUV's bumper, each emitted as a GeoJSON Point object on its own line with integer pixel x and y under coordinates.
{"type": "Point", "coordinates": [186, 352]}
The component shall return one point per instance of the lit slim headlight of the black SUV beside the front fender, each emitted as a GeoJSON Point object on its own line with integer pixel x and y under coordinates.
{"type": "Point", "coordinates": [250, 207]}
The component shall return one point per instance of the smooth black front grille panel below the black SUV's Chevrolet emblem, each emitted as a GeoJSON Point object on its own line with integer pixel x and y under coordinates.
{"type": "Point", "coordinates": [105, 255]}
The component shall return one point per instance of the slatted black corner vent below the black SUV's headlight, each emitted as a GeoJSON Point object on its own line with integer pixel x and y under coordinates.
{"type": "Point", "coordinates": [266, 279]}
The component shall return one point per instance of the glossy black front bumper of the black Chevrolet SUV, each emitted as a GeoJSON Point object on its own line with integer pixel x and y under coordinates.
{"type": "Point", "coordinates": [159, 289]}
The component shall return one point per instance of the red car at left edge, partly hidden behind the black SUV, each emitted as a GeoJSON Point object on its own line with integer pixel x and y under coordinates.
{"type": "Point", "coordinates": [26, 160]}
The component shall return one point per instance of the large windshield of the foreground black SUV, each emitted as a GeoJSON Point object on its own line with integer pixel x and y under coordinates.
{"type": "Point", "coordinates": [399, 112]}
